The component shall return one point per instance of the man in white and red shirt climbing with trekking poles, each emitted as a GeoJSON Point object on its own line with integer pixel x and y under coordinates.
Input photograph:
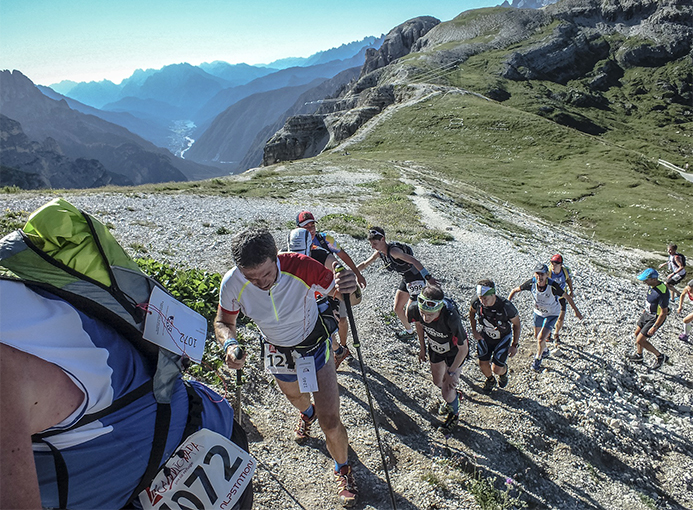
{"type": "Point", "coordinates": [278, 293]}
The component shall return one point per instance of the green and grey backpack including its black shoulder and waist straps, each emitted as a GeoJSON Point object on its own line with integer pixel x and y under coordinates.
{"type": "Point", "coordinates": [72, 255]}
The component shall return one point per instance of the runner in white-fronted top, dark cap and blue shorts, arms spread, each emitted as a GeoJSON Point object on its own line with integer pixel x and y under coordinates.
{"type": "Point", "coordinates": [547, 308]}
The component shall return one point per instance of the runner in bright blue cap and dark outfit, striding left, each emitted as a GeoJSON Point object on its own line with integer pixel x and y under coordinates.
{"type": "Point", "coordinates": [652, 318]}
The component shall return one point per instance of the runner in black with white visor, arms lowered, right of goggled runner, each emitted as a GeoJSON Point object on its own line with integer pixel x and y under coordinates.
{"type": "Point", "coordinates": [500, 332]}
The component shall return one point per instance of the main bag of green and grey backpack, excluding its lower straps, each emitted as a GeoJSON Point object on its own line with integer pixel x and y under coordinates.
{"type": "Point", "coordinates": [74, 256]}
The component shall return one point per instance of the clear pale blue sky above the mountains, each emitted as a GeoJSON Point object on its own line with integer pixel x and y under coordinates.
{"type": "Point", "coordinates": [83, 40]}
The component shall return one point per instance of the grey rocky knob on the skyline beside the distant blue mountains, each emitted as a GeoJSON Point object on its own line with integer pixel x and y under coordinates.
{"type": "Point", "coordinates": [398, 42]}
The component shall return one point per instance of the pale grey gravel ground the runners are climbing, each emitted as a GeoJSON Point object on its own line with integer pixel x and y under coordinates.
{"type": "Point", "coordinates": [590, 431]}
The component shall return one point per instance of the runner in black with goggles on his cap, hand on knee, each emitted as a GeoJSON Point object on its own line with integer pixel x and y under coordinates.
{"type": "Point", "coordinates": [448, 345]}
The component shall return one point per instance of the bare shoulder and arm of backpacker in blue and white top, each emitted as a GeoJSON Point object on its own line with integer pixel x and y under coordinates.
{"type": "Point", "coordinates": [34, 395]}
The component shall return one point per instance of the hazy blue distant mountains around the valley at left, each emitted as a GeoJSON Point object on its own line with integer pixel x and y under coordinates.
{"type": "Point", "coordinates": [125, 127]}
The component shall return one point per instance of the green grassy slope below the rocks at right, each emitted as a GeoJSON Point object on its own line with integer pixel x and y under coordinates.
{"type": "Point", "coordinates": [571, 153]}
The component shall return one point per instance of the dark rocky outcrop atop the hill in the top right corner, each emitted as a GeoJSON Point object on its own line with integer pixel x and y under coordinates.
{"type": "Point", "coordinates": [635, 33]}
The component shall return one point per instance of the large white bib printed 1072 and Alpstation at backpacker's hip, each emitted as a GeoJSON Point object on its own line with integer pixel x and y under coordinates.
{"type": "Point", "coordinates": [208, 471]}
